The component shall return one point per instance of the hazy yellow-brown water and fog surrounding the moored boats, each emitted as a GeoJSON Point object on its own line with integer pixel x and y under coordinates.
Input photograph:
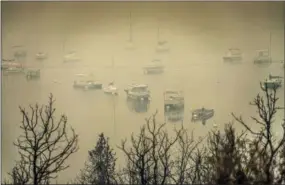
{"type": "Point", "coordinates": [198, 35]}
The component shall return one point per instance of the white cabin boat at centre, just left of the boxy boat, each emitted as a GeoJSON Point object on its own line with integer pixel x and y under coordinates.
{"type": "Point", "coordinates": [138, 92]}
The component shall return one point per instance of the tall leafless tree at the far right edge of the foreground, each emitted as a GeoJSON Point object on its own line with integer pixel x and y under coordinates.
{"type": "Point", "coordinates": [266, 146]}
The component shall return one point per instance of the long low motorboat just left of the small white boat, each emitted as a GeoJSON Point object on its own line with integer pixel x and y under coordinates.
{"type": "Point", "coordinates": [86, 82]}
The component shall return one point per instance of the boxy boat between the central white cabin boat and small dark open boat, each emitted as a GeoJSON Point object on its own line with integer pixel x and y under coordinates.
{"type": "Point", "coordinates": [173, 101]}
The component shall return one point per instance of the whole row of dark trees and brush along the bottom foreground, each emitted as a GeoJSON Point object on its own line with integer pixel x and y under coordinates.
{"type": "Point", "coordinates": [153, 156]}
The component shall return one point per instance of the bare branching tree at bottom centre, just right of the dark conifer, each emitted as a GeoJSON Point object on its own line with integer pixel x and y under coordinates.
{"type": "Point", "coordinates": [150, 154]}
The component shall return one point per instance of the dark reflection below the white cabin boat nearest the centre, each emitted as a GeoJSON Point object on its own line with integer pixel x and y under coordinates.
{"type": "Point", "coordinates": [139, 106]}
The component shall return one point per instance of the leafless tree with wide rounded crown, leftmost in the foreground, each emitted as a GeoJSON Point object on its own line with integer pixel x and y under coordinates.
{"type": "Point", "coordinates": [44, 145]}
